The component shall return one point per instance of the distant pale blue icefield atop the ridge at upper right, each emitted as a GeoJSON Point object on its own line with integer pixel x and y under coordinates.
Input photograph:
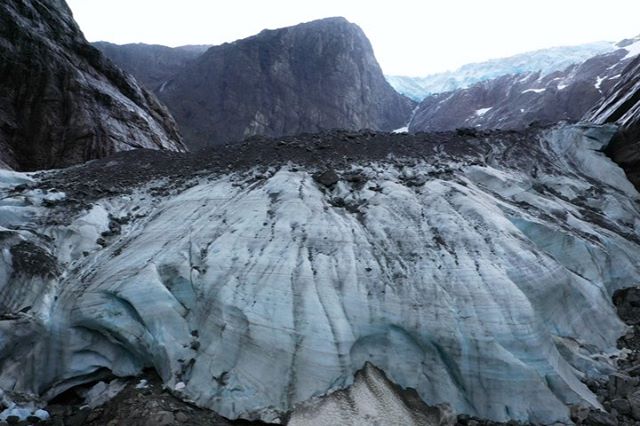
{"type": "Point", "coordinates": [545, 61]}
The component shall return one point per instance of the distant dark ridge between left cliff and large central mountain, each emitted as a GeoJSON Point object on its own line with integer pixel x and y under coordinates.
{"type": "Point", "coordinates": [151, 64]}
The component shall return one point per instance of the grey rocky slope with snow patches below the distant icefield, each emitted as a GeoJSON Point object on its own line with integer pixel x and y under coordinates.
{"type": "Point", "coordinates": [516, 101]}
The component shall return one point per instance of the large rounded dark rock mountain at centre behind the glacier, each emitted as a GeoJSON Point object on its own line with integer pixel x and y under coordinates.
{"type": "Point", "coordinates": [313, 76]}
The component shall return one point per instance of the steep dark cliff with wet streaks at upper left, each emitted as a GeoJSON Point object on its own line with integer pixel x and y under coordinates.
{"type": "Point", "coordinates": [61, 101]}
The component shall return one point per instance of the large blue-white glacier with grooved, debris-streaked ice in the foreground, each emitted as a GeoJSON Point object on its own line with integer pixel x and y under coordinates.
{"type": "Point", "coordinates": [478, 273]}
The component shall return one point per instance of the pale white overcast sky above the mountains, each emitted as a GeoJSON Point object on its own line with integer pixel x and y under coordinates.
{"type": "Point", "coordinates": [409, 37]}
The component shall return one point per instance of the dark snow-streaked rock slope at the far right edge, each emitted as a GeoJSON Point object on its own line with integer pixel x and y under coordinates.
{"type": "Point", "coordinates": [622, 106]}
